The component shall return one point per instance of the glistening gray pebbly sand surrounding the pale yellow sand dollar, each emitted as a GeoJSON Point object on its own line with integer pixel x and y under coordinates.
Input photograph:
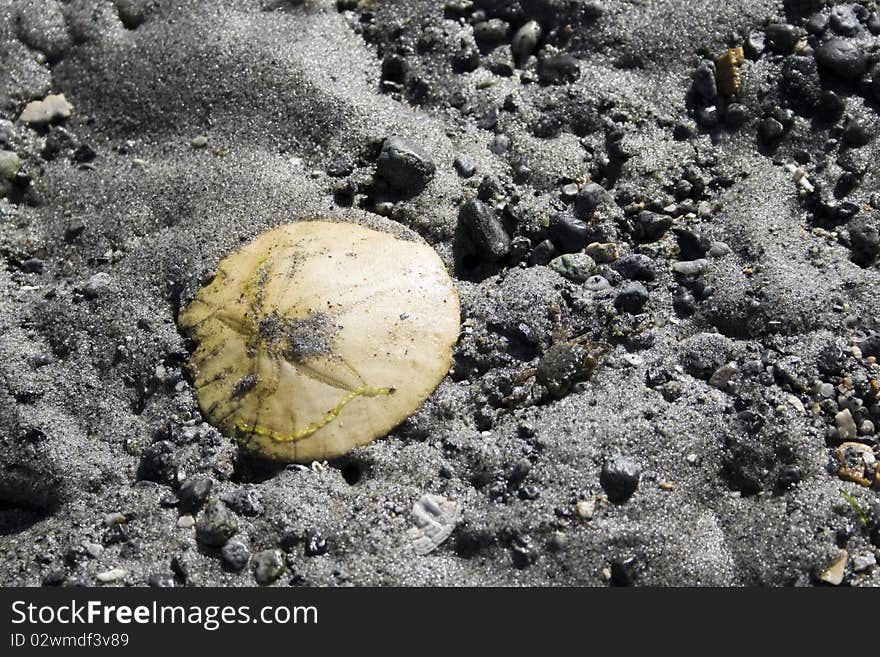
{"type": "Point", "coordinates": [100, 255]}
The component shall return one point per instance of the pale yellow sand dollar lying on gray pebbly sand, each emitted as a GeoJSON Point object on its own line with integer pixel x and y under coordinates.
{"type": "Point", "coordinates": [320, 336]}
